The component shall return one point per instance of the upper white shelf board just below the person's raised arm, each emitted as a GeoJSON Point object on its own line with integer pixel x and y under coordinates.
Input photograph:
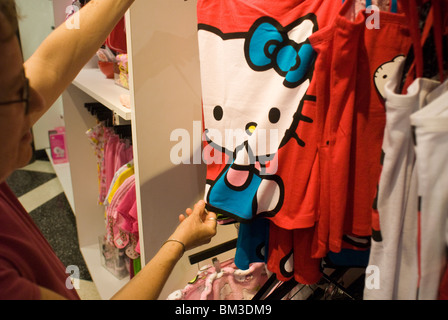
{"type": "Point", "coordinates": [93, 82]}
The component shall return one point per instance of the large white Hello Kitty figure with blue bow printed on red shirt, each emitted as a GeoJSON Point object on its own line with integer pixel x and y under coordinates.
{"type": "Point", "coordinates": [254, 84]}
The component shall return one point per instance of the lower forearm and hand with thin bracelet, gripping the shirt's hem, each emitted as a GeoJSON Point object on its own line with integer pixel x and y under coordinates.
{"type": "Point", "coordinates": [197, 229]}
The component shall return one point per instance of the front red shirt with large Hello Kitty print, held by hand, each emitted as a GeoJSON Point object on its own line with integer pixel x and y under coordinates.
{"type": "Point", "coordinates": [254, 182]}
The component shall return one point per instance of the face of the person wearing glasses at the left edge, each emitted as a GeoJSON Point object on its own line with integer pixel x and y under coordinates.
{"type": "Point", "coordinates": [15, 123]}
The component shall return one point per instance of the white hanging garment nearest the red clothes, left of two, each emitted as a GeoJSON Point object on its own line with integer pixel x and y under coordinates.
{"type": "Point", "coordinates": [395, 257]}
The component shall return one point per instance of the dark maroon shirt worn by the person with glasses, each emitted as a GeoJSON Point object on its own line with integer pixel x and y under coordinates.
{"type": "Point", "coordinates": [26, 258]}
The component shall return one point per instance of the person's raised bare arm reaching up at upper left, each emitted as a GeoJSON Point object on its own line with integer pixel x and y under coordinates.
{"type": "Point", "coordinates": [65, 51]}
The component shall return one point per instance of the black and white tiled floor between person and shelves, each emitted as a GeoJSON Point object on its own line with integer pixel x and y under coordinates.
{"type": "Point", "coordinates": [40, 192]}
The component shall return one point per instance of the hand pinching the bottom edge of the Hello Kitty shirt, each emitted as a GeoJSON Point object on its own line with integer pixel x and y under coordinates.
{"type": "Point", "coordinates": [198, 228]}
